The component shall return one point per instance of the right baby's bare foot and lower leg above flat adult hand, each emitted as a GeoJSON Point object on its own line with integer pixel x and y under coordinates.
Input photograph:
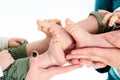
{"type": "Point", "coordinates": [85, 39]}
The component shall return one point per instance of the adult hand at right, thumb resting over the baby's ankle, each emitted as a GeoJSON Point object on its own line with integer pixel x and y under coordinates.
{"type": "Point", "coordinates": [109, 56]}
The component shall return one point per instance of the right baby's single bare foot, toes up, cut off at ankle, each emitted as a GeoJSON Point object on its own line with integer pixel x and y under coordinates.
{"type": "Point", "coordinates": [82, 37]}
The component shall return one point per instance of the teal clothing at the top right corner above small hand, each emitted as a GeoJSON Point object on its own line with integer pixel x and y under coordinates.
{"type": "Point", "coordinates": [109, 5]}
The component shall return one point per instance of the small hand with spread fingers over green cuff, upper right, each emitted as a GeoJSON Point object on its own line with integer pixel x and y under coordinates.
{"type": "Point", "coordinates": [114, 17]}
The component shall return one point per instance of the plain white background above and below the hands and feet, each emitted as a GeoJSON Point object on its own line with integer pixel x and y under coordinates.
{"type": "Point", "coordinates": [18, 19]}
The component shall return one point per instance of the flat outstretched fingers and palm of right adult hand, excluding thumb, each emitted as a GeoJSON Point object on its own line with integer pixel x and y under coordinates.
{"type": "Point", "coordinates": [106, 56]}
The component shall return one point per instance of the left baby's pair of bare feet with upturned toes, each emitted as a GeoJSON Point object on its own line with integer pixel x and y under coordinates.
{"type": "Point", "coordinates": [60, 41]}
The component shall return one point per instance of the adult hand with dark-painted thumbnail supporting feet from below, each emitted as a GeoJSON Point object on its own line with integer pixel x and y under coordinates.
{"type": "Point", "coordinates": [37, 73]}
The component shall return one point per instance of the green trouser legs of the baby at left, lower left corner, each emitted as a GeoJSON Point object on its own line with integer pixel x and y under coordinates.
{"type": "Point", "coordinates": [19, 69]}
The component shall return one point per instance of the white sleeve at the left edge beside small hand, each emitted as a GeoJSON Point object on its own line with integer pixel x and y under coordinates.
{"type": "Point", "coordinates": [3, 43]}
